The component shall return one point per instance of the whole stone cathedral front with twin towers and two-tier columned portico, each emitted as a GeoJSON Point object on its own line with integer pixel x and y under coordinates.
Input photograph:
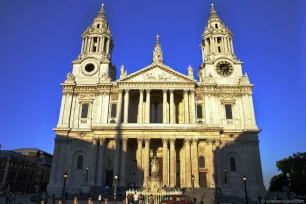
{"type": "Point", "coordinates": [202, 132]}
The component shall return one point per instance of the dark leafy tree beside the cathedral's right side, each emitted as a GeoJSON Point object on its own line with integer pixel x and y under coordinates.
{"type": "Point", "coordinates": [295, 167]}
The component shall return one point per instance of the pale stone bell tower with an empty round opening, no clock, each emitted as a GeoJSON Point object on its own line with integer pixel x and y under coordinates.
{"type": "Point", "coordinates": [94, 63]}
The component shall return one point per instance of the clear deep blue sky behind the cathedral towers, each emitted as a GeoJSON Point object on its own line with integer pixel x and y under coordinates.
{"type": "Point", "coordinates": [39, 39]}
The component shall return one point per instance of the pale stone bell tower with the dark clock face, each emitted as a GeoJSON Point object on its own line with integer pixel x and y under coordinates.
{"type": "Point", "coordinates": [218, 56]}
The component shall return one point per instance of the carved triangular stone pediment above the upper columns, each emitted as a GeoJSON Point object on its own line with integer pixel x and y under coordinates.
{"type": "Point", "coordinates": [157, 72]}
